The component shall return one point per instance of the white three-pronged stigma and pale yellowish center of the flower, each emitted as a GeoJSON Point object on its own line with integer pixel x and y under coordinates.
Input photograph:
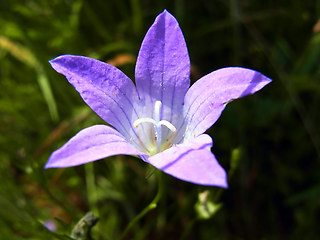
{"type": "Point", "coordinates": [156, 142]}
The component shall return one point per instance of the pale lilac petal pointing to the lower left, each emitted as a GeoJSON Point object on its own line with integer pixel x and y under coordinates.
{"type": "Point", "coordinates": [91, 144]}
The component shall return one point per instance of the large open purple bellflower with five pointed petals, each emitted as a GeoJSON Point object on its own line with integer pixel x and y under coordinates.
{"type": "Point", "coordinates": [160, 119]}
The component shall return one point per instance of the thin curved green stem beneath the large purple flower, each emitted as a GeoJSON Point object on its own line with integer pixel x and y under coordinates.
{"type": "Point", "coordinates": [148, 208]}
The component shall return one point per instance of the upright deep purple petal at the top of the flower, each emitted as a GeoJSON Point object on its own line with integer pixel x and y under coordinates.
{"type": "Point", "coordinates": [163, 68]}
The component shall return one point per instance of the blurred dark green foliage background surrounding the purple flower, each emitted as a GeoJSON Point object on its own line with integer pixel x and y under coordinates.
{"type": "Point", "coordinates": [269, 142]}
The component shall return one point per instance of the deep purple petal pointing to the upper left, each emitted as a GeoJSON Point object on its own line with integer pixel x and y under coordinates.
{"type": "Point", "coordinates": [108, 91]}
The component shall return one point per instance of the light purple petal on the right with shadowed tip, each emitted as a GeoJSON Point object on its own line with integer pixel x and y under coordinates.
{"type": "Point", "coordinates": [207, 98]}
